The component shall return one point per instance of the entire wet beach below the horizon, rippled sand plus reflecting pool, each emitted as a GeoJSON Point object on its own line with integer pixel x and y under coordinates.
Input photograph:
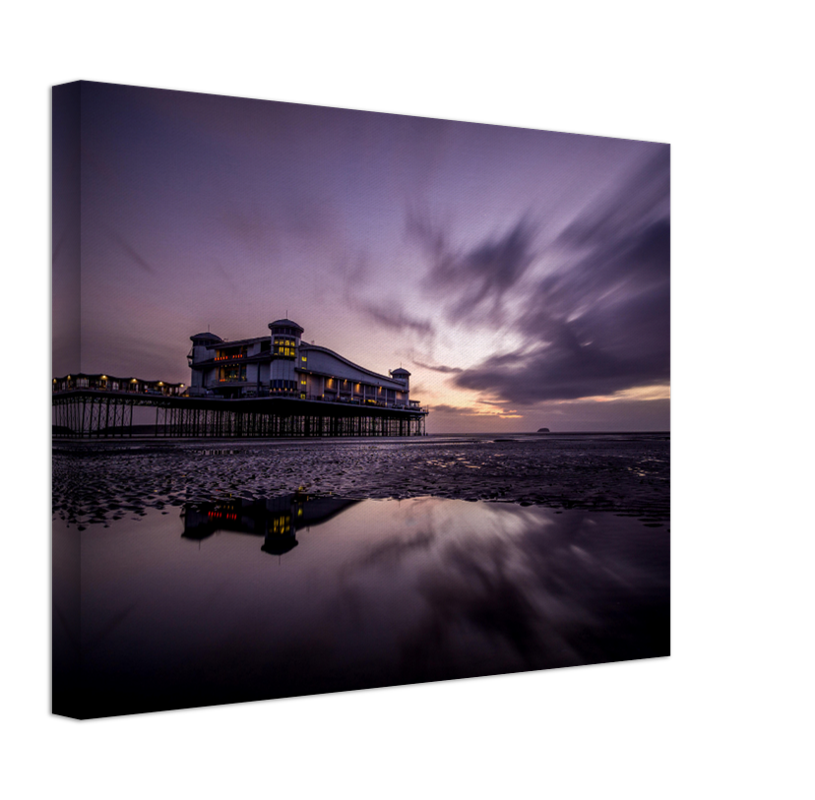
{"type": "Point", "coordinates": [228, 568]}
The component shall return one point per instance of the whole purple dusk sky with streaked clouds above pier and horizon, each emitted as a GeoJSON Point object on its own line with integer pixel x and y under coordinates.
{"type": "Point", "coordinates": [522, 276]}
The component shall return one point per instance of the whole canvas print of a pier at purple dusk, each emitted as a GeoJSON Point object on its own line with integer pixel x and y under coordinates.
{"type": "Point", "coordinates": [346, 400]}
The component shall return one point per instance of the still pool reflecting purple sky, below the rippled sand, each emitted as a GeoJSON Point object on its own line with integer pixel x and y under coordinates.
{"type": "Point", "coordinates": [389, 592]}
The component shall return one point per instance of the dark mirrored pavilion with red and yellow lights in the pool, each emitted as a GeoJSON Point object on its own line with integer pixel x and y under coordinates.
{"type": "Point", "coordinates": [277, 519]}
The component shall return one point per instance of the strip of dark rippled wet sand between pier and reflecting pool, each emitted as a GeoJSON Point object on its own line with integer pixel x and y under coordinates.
{"type": "Point", "coordinates": [95, 482]}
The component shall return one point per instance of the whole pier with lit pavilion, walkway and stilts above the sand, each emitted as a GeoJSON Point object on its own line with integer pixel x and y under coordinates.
{"type": "Point", "coordinates": [267, 386]}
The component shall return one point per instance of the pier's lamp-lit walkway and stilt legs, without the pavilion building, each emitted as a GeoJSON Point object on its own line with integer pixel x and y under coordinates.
{"type": "Point", "coordinates": [96, 406]}
